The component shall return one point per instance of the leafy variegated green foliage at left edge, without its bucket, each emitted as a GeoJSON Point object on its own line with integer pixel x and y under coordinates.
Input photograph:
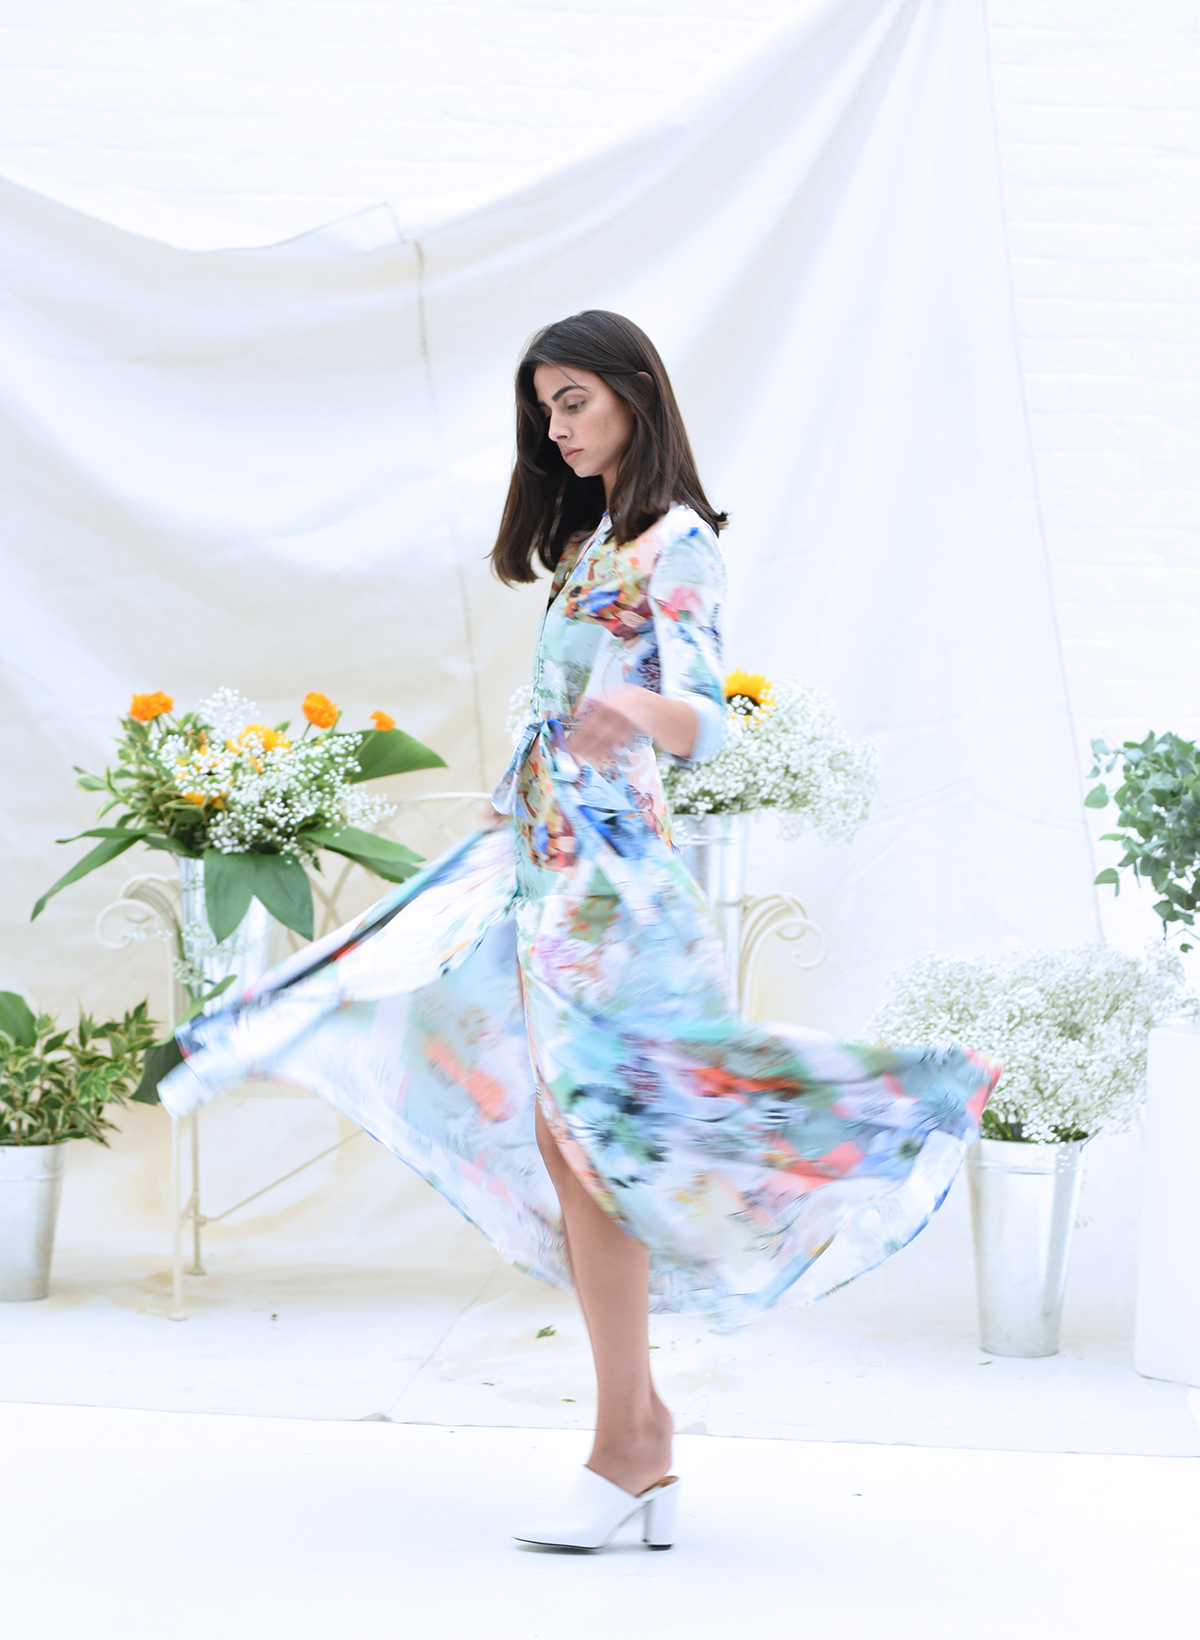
{"type": "Point", "coordinates": [60, 1085]}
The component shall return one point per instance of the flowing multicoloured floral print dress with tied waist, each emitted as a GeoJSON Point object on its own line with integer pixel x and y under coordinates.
{"type": "Point", "coordinates": [570, 959]}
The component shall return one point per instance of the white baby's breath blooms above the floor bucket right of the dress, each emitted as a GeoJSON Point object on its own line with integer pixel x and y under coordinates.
{"type": "Point", "coordinates": [1071, 1029]}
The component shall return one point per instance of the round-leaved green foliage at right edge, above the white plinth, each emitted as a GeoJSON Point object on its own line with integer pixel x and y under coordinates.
{"type": "Point", "coordinates": [1158, 808]}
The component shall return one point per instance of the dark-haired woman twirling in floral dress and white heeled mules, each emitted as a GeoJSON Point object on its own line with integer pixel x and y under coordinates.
{"type": "Point", "coordinates": [540, 1023]}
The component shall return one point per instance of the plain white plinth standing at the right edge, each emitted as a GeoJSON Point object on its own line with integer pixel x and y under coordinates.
{"type": "Point", "coordinates": [1166, 1341]}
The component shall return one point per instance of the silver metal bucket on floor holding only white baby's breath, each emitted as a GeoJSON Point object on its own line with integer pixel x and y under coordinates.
{"type": "Point", "coordinates": [1024, 1205]}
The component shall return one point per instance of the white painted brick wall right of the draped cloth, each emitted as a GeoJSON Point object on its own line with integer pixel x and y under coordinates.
{"type": "Point", "coordinates": [1099, 122]}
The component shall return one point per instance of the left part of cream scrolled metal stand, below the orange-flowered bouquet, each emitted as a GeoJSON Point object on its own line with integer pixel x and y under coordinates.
{"type": "Point", "coordinates": [152, 908]}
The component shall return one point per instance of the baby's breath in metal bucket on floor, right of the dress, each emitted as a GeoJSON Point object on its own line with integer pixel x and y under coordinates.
{"type": "Point", "coordinates": [1071, 1031]}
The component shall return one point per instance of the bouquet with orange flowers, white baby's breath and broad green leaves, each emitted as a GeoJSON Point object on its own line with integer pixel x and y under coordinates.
{"type": "Point", "coordinates": [250, 801]}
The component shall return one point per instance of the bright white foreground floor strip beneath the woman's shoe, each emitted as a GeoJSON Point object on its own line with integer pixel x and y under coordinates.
{"type": "Point", "coordinates": [122, 1526]}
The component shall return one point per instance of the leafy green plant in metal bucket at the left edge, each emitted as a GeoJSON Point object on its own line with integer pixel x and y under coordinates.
{"type": "Point", "coordinates": [55, 1085]}
